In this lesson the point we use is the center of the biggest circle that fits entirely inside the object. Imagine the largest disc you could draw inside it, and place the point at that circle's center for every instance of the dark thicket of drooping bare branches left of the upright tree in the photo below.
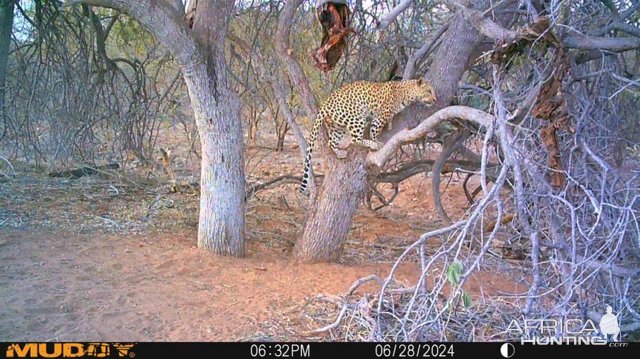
(86, 85)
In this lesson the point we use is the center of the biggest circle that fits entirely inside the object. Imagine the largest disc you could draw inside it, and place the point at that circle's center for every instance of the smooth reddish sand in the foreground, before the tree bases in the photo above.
(65, 287)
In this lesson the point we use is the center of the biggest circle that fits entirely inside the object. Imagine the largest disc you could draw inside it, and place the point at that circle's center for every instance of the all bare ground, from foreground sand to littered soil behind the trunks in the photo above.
(113, 258)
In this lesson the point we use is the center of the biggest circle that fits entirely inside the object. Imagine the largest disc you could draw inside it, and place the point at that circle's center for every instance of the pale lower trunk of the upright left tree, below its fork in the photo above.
(221, 223)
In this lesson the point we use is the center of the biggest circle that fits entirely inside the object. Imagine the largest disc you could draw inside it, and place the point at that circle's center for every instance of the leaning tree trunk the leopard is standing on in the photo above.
(345, 181)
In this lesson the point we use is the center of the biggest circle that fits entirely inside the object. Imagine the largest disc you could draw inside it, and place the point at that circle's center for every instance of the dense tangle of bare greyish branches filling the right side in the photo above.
(581, 239)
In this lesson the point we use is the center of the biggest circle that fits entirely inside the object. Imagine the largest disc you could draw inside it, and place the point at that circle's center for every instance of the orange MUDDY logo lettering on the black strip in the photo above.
(70, 350)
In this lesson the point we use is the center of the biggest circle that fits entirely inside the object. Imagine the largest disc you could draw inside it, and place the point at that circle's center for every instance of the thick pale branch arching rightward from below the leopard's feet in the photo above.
(379, 158)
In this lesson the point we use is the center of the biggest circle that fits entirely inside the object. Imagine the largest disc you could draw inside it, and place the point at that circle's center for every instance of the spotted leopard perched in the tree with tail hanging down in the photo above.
(361, 104)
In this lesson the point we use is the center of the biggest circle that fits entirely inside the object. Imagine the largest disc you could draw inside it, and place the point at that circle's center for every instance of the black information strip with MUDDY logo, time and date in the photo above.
(142, 350)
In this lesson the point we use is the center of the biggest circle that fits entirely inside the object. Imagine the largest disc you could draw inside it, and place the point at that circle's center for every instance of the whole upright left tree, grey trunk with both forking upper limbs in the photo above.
(200, 54)
